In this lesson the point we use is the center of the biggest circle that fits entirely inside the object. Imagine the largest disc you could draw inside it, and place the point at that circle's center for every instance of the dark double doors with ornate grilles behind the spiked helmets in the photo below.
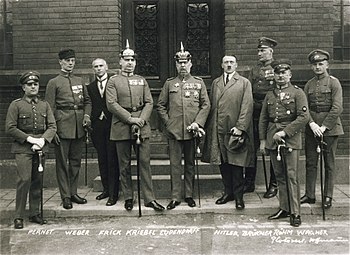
(156, 28)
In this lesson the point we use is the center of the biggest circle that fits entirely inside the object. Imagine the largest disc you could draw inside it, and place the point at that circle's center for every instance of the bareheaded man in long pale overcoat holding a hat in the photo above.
(230, 116)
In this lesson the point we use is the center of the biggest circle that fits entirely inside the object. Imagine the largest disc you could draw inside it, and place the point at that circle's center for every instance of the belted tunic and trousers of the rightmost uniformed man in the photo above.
(324, 94)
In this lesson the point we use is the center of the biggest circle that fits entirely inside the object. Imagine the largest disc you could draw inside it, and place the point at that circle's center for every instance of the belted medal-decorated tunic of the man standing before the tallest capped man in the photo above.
(284, 109)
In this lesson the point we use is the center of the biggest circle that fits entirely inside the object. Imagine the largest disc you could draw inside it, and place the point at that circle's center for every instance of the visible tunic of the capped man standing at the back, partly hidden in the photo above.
(261, 77)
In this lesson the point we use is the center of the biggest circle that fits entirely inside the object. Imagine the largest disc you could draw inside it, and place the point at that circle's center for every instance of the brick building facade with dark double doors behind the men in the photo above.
(33, 31)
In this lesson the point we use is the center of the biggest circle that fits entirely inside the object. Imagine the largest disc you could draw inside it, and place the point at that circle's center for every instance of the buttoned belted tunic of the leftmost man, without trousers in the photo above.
(29, 117)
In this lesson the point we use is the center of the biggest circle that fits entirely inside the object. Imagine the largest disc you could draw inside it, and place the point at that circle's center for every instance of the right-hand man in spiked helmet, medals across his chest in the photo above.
(183, 106)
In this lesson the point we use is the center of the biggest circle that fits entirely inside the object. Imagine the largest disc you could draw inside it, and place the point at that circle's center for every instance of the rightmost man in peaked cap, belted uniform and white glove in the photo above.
(324, 94)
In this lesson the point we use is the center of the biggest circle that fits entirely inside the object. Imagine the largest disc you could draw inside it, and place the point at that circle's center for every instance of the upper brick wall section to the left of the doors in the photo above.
(92, 28)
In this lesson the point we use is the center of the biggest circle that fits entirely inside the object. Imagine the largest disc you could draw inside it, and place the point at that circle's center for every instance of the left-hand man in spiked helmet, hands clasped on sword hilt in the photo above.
(130, 101)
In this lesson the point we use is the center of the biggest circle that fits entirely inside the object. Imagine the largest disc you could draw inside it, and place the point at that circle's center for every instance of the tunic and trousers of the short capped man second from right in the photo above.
(285, 109)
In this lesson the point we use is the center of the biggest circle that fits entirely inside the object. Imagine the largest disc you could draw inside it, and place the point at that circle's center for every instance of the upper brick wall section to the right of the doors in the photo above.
(299, 26)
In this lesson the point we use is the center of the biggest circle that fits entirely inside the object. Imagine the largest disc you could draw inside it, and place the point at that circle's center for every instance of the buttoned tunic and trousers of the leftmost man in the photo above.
(29, 117)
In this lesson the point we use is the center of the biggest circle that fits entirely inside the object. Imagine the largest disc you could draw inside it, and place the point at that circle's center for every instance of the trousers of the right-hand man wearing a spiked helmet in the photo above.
(175, 152)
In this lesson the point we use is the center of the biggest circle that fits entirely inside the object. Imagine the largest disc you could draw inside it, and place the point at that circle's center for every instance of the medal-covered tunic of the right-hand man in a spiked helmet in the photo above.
(182, 102)
